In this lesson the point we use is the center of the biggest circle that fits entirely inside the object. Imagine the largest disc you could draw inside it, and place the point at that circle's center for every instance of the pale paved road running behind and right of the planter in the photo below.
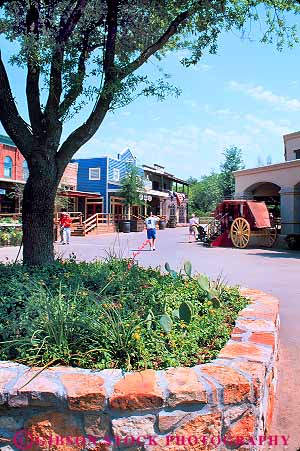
(273, 271)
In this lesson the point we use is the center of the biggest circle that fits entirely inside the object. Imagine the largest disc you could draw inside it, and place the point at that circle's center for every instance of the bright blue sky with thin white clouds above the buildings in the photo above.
(247, 95)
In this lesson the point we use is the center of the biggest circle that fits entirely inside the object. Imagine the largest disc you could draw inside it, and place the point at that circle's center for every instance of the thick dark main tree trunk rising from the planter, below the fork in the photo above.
(38, 212)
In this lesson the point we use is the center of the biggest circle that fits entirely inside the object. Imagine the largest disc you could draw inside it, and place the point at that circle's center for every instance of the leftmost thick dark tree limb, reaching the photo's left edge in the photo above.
(13, 123)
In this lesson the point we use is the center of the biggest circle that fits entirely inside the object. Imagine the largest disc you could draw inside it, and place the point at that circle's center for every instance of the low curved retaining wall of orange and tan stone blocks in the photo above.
(177, 409)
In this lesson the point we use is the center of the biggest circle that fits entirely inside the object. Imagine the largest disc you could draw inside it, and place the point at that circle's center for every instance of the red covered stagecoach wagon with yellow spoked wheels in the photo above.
(236, 221)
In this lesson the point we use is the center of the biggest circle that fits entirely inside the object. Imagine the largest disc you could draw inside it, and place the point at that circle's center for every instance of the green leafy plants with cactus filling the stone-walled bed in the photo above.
(102, 315)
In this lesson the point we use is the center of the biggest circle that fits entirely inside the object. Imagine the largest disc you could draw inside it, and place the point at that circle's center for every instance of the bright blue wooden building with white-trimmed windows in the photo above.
(102, 176)
